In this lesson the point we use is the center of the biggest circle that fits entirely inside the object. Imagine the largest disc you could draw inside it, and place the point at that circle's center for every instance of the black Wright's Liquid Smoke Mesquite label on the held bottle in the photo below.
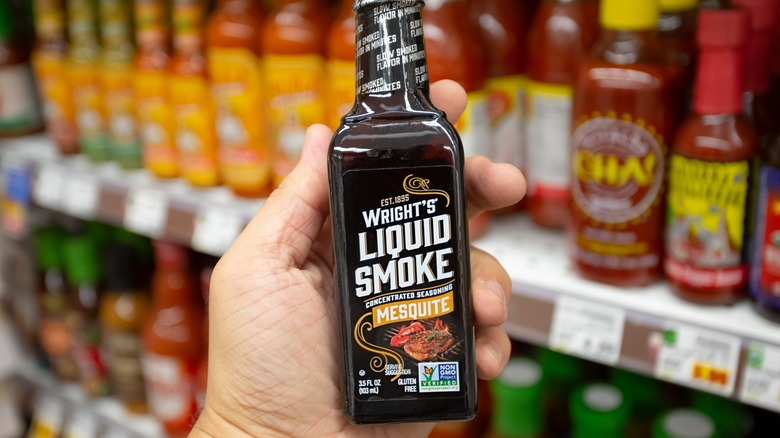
(405, 274)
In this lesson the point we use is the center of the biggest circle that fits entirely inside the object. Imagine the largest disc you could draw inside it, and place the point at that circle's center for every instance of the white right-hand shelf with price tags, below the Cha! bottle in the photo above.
(631, 328)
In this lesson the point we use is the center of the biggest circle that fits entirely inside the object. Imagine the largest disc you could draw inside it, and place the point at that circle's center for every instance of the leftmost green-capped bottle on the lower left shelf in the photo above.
(56, 335)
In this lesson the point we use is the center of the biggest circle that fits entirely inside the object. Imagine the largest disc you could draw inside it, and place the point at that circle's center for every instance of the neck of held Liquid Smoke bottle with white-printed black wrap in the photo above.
(390, 54)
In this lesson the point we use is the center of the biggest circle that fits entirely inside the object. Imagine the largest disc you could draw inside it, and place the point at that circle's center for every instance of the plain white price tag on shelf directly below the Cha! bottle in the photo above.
(589, 330)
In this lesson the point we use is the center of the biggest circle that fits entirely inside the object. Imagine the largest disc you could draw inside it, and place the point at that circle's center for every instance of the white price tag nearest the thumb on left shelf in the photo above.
(215, 230)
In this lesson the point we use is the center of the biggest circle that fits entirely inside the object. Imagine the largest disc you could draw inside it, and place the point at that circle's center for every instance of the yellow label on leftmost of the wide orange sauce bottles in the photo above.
(244, 157)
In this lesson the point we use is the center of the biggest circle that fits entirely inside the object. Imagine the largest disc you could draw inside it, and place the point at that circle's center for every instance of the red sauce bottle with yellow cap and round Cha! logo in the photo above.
(620, 123)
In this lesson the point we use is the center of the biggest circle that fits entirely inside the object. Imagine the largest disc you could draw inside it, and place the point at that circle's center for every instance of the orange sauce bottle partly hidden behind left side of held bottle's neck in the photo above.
(341, 64)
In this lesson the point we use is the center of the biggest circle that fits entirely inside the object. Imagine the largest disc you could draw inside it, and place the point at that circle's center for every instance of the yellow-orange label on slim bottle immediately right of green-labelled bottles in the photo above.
(155, 122)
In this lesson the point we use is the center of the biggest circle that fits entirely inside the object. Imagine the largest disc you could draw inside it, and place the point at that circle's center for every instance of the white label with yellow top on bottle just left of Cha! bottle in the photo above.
(549, 127)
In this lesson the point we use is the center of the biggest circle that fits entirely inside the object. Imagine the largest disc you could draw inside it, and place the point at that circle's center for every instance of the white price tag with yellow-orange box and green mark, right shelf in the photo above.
(698, 358)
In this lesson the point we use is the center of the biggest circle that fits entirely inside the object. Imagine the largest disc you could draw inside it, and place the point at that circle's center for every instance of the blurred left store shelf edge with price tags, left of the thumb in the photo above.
(206, 219)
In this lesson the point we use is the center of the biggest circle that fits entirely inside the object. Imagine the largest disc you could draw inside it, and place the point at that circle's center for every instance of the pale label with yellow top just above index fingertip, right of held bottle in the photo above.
(474, 125)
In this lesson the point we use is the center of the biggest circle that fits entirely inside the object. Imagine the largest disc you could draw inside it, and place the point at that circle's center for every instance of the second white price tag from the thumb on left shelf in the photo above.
(146, 212)
